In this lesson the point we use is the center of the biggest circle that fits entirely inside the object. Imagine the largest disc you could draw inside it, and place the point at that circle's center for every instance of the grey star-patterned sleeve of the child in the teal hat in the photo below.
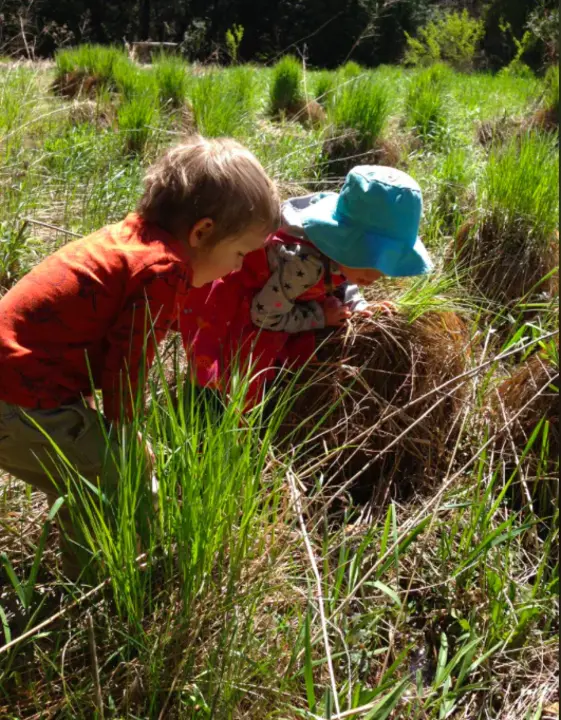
(275, 307)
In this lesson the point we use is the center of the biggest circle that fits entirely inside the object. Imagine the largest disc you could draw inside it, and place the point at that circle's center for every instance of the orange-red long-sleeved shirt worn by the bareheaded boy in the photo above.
(87, 308)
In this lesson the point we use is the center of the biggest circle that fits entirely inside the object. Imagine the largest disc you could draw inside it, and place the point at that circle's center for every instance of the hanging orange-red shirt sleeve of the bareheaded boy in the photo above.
(149, 313)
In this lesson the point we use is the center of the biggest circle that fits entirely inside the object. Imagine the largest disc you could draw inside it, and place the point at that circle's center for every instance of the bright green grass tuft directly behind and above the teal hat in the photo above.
(363, 107)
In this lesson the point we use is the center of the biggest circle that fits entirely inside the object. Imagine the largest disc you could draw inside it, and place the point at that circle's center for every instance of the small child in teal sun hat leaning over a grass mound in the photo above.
(307, 277)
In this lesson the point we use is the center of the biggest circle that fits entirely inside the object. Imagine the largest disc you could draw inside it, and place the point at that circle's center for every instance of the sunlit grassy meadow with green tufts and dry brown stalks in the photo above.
(267, 583)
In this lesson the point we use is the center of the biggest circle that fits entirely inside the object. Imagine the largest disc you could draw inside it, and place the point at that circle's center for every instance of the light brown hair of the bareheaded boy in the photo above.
(217, 179)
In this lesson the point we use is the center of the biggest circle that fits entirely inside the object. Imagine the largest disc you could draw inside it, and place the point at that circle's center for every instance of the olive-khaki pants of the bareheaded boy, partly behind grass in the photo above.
(27, 453)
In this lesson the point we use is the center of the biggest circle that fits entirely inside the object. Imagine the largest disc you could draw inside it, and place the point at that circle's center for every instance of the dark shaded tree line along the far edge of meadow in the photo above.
(328, 32)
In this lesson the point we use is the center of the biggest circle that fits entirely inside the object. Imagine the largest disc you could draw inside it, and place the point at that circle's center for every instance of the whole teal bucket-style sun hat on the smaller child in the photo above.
(372, 223)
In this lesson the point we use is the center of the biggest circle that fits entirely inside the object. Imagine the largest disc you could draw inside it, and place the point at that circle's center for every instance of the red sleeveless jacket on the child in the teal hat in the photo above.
(219, 334)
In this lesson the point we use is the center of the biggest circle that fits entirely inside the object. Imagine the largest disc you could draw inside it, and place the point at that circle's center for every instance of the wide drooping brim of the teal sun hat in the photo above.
(352, 247)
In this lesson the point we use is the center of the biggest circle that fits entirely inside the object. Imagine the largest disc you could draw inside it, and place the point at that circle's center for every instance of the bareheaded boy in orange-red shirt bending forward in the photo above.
(89, 316)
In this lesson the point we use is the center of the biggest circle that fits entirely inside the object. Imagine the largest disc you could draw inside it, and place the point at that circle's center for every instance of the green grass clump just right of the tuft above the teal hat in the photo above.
(425, 104)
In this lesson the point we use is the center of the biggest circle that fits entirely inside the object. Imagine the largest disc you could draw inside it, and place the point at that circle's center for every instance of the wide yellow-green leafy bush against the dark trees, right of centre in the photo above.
(453, 37)
